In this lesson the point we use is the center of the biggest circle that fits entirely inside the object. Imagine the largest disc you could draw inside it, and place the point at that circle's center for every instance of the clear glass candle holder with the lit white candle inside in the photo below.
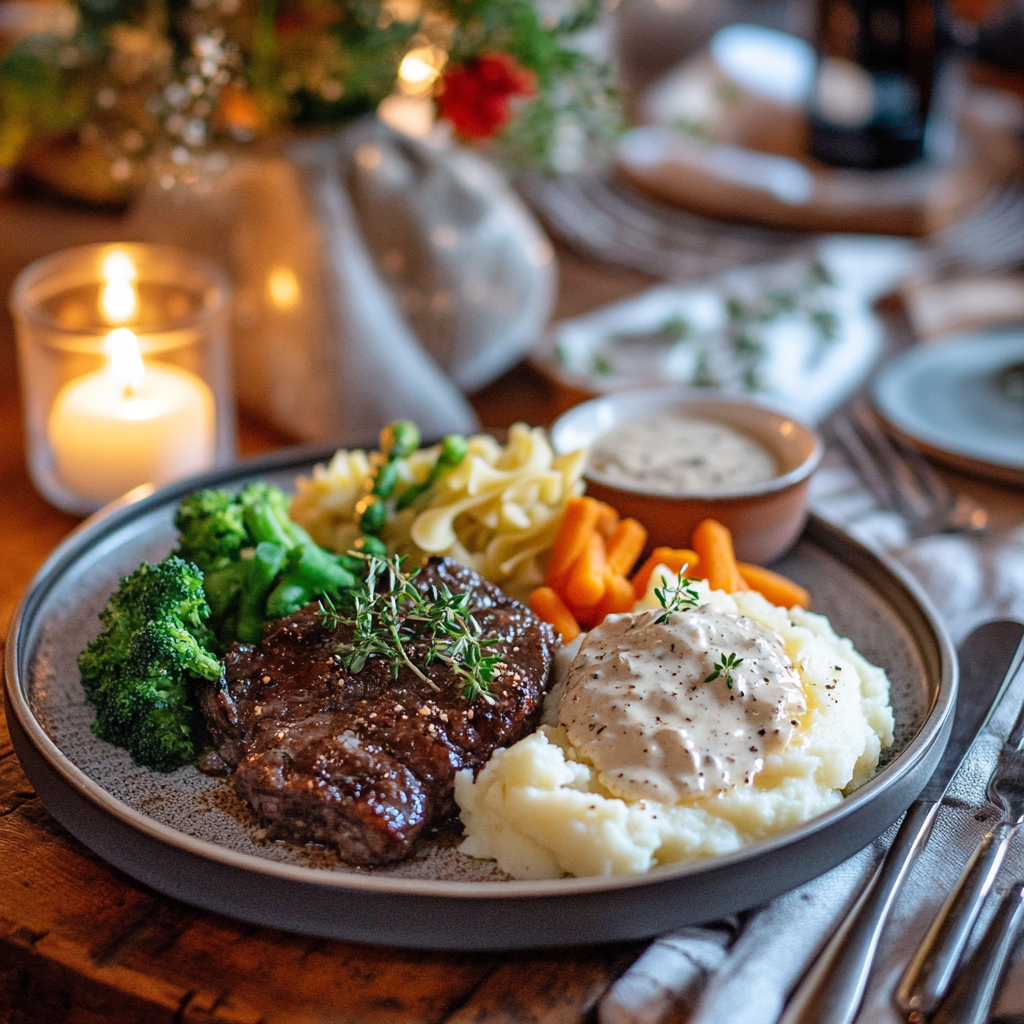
(125, 370)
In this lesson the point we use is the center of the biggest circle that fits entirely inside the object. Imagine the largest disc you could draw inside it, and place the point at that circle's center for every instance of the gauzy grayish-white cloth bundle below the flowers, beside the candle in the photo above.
(375, 276)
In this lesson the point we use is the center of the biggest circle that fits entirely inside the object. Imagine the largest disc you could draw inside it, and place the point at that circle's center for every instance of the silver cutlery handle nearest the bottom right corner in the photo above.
(975, 992)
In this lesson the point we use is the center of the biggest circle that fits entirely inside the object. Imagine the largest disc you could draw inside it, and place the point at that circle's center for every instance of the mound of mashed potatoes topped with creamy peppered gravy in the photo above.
(810, 717)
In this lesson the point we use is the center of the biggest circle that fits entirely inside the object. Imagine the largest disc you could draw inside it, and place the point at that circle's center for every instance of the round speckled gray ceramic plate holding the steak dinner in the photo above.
(188, 836)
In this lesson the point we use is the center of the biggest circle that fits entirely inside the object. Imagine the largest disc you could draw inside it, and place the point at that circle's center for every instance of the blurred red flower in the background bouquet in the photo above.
(477, 96)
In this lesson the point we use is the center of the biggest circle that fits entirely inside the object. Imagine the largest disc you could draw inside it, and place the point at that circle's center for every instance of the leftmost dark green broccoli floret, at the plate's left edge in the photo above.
(139, 672)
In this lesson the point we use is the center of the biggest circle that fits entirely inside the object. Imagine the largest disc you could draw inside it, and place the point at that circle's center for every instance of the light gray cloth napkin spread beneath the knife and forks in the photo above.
(707, 976)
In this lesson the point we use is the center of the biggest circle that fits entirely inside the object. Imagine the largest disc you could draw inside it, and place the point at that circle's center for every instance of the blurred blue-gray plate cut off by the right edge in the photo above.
(948, 400)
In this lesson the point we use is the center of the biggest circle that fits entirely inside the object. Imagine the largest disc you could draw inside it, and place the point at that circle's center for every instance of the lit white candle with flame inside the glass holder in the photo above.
(131, 423)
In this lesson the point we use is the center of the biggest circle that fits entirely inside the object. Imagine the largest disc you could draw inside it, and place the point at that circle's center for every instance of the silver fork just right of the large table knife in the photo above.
(931, 969)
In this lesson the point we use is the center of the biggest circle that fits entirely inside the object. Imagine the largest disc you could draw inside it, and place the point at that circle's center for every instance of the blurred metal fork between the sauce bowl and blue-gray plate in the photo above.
(902, 480)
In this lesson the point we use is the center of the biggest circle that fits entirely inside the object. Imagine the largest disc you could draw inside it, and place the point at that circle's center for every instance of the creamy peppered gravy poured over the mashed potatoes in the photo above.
(638, 707)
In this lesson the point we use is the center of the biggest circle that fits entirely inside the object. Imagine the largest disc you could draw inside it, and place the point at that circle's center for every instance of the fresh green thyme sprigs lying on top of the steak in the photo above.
(390, 616)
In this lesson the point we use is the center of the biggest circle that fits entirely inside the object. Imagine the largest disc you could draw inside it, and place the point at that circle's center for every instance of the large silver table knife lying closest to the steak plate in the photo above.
(833, 989)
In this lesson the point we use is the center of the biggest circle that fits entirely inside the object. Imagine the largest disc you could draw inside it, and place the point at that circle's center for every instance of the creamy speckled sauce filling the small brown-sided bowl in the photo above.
(680, 455)
